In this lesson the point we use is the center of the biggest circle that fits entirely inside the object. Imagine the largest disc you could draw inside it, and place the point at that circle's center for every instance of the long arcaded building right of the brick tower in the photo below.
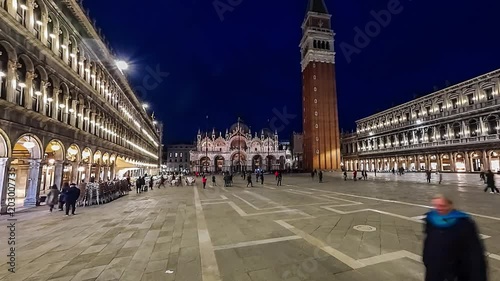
(452, 130)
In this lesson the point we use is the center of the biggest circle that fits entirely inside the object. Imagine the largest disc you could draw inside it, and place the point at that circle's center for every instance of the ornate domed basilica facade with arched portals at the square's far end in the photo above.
(237, 150)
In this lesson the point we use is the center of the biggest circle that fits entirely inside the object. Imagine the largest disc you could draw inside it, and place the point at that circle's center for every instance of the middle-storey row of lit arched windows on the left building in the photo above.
(31, 87)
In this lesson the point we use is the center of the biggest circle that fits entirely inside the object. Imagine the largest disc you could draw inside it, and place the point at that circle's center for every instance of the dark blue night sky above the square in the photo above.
(248, 63)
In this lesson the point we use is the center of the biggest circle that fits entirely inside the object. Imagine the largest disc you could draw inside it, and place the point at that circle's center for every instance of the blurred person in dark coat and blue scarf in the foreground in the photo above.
(453, 249)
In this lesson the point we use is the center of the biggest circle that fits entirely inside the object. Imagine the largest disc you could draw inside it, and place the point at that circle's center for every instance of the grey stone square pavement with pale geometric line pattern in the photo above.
(303, 230)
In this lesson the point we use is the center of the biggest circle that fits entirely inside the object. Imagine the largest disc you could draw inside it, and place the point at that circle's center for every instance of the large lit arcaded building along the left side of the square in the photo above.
(67, 113)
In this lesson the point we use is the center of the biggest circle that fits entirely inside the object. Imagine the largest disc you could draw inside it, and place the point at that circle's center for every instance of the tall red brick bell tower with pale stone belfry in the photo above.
(319, 93)
